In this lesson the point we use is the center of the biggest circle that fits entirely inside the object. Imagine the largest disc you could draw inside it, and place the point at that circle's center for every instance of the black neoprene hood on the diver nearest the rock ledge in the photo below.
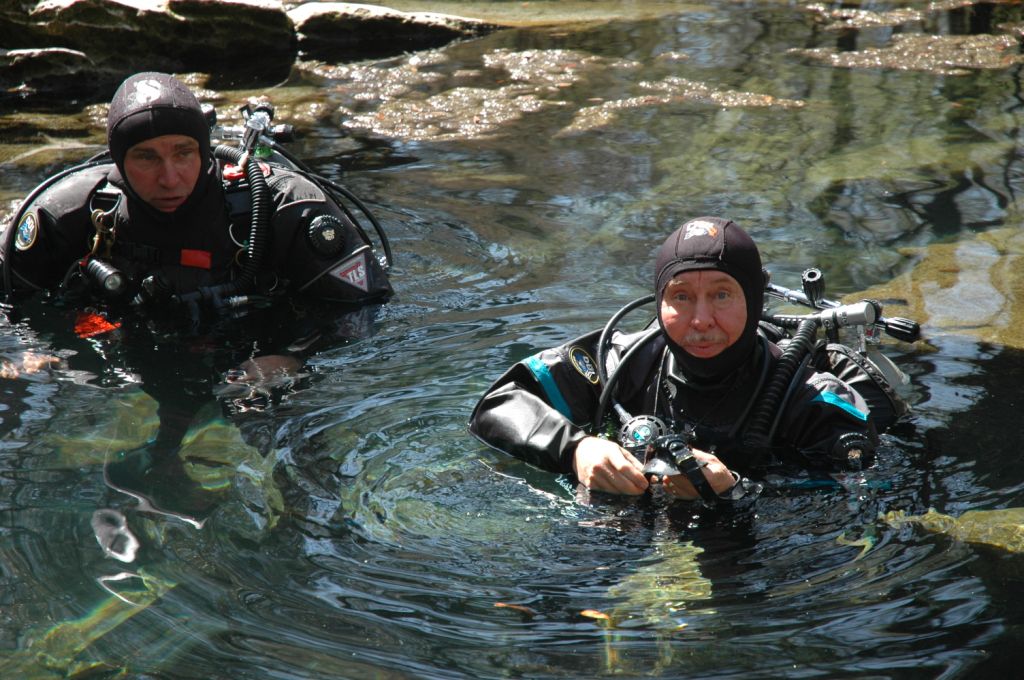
(151, 105)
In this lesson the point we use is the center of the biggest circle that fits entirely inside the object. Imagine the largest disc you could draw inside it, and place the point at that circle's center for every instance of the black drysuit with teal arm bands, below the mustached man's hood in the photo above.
(542, 408)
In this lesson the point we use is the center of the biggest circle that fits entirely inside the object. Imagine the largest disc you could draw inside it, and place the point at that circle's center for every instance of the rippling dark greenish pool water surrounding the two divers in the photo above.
(346, 525)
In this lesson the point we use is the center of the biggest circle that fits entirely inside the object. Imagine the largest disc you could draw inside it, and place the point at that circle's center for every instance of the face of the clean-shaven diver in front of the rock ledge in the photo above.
(163, 172)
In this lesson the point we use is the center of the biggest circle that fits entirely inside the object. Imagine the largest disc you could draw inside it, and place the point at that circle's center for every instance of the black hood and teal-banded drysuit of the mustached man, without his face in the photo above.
(544, 407)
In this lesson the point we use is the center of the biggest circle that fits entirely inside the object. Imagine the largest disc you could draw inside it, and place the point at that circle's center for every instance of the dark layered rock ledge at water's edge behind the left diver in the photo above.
(88, 48)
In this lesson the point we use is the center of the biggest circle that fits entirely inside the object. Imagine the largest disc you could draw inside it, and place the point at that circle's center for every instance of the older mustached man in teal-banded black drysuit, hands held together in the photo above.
(702, 375)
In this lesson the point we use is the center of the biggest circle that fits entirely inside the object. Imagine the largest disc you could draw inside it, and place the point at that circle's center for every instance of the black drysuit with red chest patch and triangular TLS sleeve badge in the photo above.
(201, 245)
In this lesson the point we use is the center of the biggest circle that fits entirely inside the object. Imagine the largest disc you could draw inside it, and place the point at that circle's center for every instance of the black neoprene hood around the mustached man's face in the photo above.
(717, 244)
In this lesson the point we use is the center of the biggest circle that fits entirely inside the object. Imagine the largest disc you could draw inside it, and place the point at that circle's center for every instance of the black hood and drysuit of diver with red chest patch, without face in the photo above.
(310, 246)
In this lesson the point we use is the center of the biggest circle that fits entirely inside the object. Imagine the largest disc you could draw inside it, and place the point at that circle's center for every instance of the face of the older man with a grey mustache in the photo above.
(704, 312)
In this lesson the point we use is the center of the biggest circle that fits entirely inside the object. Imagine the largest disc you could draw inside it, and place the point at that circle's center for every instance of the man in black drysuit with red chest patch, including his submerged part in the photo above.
(259, 265)
